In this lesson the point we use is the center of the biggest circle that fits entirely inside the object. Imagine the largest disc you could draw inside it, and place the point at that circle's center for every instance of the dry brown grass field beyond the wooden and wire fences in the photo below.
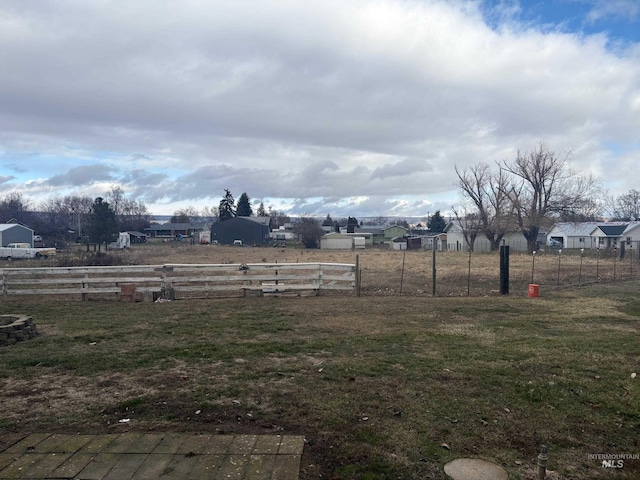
(388, 272)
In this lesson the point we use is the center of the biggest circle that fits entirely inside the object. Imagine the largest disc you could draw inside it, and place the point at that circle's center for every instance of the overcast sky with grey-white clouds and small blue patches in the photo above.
(313, 106)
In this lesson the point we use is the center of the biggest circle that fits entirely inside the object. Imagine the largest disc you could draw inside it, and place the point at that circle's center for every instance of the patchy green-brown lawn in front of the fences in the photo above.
(382, 387)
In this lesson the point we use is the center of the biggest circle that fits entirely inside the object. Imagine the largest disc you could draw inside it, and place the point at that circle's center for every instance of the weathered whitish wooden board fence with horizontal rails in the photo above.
(179, 280)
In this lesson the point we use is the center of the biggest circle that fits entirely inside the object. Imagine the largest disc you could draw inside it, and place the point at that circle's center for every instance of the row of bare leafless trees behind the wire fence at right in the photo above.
(530, 193)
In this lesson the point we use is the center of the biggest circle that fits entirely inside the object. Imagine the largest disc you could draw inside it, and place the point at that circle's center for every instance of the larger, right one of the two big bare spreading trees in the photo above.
(542, 187)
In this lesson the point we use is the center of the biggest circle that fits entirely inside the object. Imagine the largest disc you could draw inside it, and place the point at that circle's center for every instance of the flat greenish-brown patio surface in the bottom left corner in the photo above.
(153, 456)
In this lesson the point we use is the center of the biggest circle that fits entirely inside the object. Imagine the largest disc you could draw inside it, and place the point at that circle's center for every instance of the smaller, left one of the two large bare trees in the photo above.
(489, 192)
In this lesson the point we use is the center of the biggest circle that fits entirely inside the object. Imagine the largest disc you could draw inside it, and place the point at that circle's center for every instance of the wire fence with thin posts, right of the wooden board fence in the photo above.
(478, 274)
